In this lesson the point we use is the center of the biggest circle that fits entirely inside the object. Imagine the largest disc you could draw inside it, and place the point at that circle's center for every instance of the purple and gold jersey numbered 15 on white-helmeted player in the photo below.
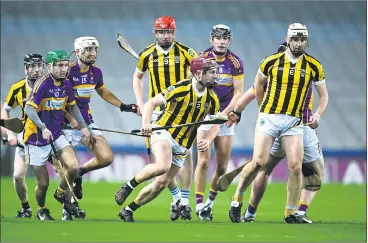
(84, 83)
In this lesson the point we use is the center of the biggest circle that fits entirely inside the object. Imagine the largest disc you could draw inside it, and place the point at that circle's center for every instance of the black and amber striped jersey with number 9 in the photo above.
(165, 68)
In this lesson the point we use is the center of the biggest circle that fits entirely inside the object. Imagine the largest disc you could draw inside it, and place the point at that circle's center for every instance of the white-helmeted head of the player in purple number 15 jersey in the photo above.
(86, 49)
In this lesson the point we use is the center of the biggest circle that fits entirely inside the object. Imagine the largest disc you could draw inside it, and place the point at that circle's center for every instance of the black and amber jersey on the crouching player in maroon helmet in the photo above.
(185, 104)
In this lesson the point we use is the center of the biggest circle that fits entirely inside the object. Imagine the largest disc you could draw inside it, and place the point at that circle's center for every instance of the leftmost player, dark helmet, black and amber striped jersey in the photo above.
(17, 96)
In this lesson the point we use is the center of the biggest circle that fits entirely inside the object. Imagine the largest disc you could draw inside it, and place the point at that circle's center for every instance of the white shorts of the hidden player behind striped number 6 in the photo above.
(312, 146)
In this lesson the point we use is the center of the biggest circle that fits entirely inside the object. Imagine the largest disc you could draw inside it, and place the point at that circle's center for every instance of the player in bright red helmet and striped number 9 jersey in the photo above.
(167, 62)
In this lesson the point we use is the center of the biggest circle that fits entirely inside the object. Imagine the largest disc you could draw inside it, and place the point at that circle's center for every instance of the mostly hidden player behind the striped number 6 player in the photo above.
(312, 168)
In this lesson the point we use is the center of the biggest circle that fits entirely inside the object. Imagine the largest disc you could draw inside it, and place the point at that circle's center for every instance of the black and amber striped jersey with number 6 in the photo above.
(289, 82)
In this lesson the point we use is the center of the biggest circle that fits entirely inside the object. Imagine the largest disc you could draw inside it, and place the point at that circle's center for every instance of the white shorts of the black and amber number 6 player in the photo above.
(278, 125)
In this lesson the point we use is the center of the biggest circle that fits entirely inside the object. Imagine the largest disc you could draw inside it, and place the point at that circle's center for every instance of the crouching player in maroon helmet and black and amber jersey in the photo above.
(185, 102)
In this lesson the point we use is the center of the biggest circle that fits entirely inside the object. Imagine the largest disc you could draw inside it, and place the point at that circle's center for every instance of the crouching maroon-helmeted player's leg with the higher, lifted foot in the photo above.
(161, 145)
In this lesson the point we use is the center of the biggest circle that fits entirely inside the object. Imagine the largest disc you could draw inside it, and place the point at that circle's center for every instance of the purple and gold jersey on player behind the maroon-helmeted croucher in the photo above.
(230, 70)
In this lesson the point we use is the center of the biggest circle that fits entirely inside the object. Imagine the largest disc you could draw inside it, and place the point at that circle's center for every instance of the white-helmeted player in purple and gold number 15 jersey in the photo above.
(85, 78)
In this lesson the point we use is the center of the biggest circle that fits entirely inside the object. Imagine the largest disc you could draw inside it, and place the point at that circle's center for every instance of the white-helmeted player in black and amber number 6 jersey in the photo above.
(290, 75)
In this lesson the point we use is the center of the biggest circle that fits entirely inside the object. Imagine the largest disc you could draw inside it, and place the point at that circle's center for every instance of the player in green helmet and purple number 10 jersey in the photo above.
(45, 109)
